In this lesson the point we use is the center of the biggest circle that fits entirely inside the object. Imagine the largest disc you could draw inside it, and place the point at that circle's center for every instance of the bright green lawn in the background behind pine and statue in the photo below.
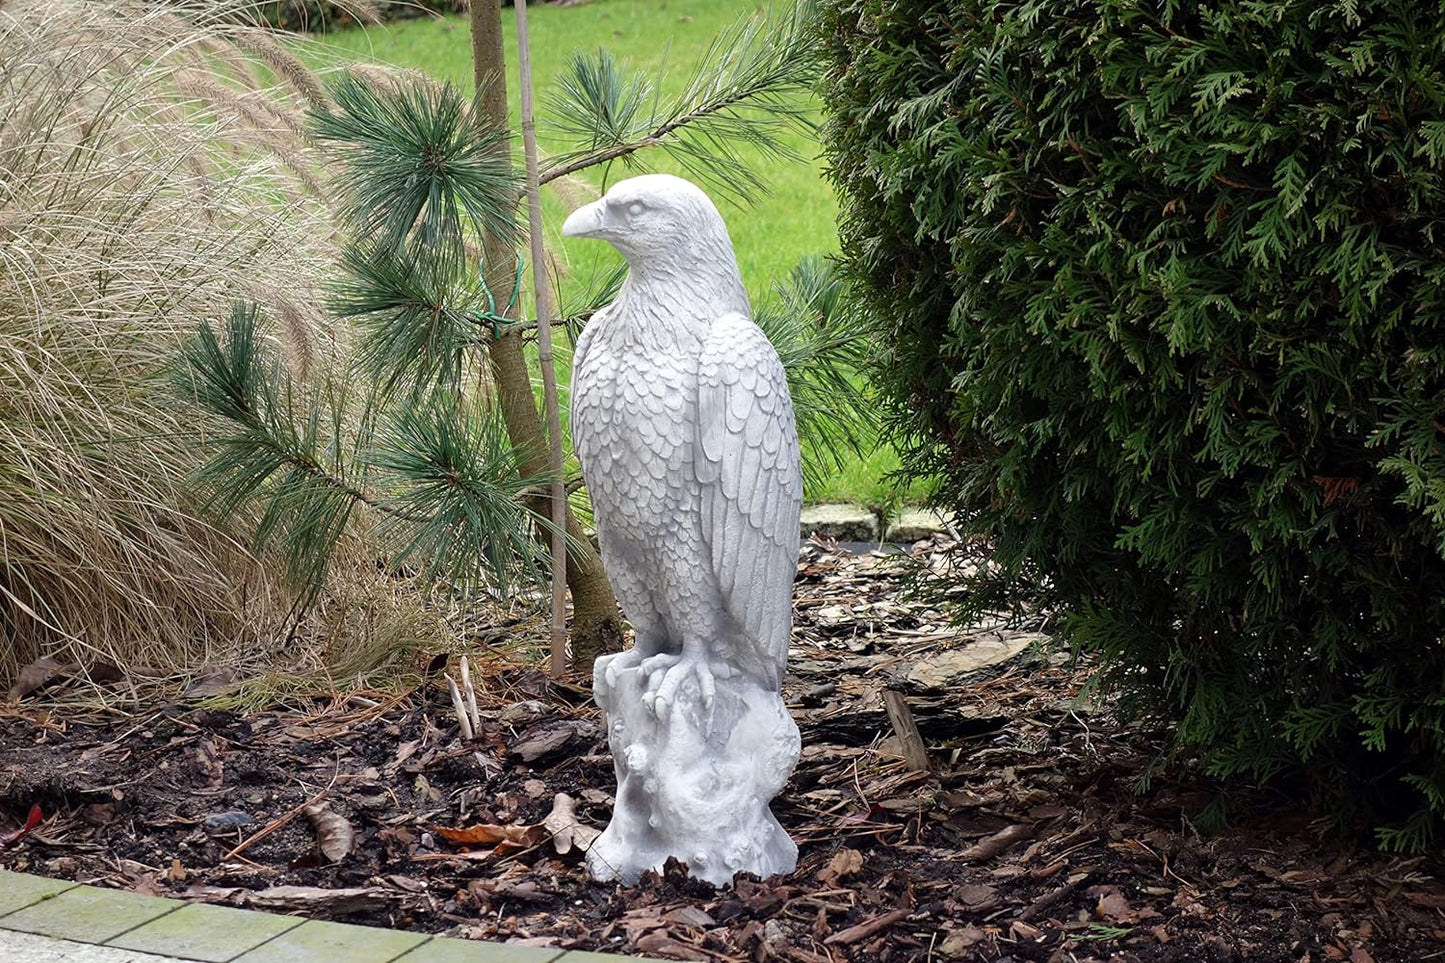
(795, 221)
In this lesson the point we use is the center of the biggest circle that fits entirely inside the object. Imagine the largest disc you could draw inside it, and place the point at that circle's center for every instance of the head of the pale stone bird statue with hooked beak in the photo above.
(655, 219)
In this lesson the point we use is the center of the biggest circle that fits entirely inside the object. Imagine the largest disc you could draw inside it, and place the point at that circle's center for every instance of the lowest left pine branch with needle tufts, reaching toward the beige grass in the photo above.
(439, 472)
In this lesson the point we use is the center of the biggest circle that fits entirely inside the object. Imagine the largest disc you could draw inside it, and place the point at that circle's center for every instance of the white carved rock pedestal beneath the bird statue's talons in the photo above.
(694, 787)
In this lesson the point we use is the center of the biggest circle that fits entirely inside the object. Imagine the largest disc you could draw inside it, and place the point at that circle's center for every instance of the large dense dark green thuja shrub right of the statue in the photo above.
(1164, 293)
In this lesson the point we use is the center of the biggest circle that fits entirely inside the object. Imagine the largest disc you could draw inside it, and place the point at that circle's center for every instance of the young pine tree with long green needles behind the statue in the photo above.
(453, 472)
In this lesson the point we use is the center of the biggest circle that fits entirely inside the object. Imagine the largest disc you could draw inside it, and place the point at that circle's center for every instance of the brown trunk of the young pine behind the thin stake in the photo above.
(596, 624)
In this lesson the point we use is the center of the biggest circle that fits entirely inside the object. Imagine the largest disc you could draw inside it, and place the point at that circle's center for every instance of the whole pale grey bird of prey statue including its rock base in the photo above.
(684, 427)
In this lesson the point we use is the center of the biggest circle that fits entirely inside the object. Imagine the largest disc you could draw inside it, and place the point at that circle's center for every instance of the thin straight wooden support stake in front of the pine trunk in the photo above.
(544, 301)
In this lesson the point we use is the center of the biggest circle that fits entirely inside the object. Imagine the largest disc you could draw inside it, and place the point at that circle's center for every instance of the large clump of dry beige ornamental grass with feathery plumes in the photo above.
(152, 168)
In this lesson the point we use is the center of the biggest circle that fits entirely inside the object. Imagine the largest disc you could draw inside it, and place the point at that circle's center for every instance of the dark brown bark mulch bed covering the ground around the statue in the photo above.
(1028, 841)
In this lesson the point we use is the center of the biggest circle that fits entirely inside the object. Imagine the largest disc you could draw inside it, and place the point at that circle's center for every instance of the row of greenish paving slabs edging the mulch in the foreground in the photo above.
(204, 933)
